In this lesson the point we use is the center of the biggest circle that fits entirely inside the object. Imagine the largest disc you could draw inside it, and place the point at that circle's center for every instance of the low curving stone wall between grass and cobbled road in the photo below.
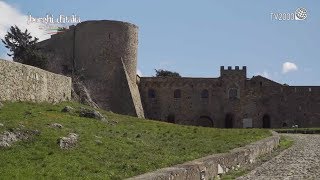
(211, 166)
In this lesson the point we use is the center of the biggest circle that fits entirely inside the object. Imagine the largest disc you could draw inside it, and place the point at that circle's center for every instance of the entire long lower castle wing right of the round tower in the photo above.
(260, 102)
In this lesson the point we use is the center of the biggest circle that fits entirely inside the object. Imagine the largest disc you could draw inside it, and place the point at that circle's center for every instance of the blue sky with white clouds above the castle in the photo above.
(195, 38)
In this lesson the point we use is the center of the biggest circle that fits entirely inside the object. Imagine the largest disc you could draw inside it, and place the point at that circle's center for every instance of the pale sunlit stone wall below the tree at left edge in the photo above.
(19, 82)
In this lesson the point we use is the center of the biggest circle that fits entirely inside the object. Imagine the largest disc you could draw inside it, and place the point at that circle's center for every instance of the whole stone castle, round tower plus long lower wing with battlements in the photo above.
(104, 54)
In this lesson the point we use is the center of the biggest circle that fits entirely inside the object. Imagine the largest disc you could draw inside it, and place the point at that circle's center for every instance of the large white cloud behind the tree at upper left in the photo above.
(10, 16)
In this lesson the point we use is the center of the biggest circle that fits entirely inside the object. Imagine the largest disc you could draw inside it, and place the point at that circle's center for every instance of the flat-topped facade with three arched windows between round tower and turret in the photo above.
(191, 108)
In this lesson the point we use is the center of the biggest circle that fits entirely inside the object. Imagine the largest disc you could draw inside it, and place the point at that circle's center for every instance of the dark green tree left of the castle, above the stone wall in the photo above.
(23, 47)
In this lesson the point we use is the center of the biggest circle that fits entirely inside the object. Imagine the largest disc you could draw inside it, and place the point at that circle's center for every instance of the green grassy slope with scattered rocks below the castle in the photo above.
(122, 147)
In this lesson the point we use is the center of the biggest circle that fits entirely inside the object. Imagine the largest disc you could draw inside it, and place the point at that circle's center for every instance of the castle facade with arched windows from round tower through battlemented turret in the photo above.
(192, 108)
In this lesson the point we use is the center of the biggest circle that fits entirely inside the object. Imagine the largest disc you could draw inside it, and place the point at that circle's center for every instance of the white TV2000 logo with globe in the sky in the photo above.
(299, 14)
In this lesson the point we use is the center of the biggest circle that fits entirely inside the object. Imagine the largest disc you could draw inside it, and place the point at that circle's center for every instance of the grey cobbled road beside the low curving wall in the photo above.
(301, 161)
